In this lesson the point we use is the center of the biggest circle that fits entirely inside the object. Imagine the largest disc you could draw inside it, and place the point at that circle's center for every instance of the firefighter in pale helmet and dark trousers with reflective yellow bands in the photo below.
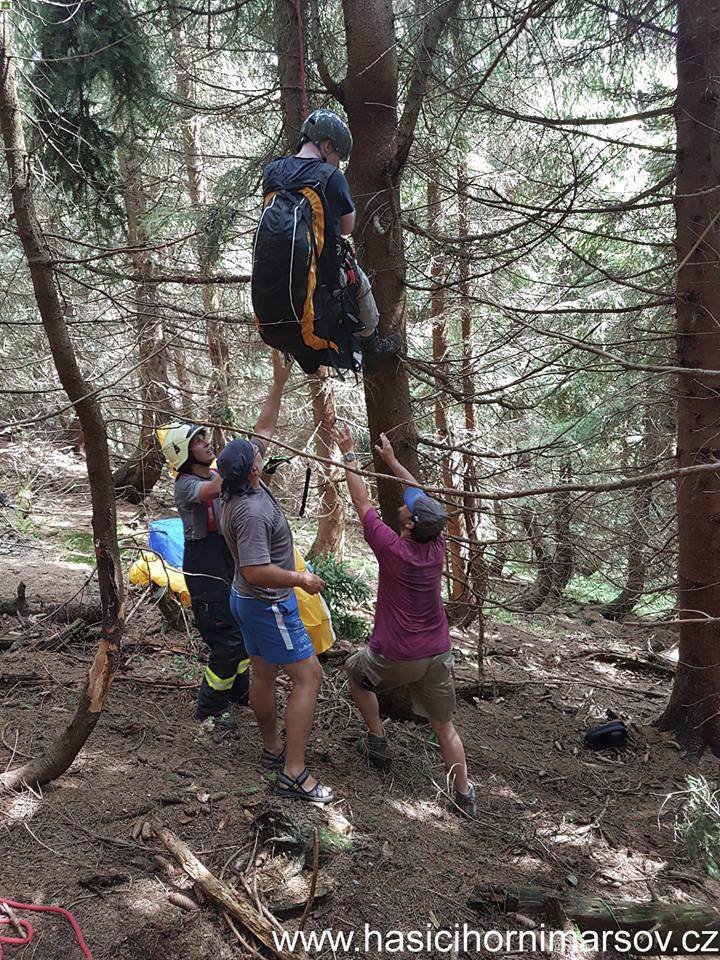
(208, 569)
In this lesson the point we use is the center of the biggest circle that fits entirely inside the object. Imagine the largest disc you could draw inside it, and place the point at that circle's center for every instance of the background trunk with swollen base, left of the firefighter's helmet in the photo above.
(136, 478)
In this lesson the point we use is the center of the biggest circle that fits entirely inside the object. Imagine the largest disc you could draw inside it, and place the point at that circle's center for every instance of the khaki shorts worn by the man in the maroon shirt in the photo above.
(429, 680)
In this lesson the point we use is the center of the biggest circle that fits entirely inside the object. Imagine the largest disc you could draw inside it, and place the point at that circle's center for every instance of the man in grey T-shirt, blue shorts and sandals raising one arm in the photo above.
(263, 602)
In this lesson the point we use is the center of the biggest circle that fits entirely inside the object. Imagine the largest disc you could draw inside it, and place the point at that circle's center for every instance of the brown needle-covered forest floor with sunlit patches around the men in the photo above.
(552, 815)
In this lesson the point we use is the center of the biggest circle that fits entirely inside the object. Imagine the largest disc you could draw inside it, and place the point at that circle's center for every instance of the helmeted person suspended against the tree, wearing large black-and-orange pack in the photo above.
(309, 294)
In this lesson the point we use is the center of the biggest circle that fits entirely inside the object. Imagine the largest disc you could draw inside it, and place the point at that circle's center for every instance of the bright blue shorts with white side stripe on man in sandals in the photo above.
(273, 631)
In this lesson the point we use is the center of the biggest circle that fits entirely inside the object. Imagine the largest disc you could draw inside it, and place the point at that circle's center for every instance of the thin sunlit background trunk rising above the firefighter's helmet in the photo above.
(218, 351)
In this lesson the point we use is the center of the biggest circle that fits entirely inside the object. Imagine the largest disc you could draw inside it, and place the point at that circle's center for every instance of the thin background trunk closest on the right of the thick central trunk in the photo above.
(458, 586)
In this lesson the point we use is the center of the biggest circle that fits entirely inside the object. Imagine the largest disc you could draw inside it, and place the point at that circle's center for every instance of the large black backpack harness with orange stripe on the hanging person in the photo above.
(305, 295)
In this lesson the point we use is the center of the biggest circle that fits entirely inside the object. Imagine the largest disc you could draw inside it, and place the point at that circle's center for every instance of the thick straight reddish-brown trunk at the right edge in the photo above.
(694, 707)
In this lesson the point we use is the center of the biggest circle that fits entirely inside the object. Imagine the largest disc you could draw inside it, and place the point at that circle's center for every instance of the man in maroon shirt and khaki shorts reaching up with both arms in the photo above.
(410, 643)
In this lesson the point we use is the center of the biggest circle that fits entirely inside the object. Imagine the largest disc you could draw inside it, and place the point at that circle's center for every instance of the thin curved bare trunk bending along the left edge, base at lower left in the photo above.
(60, 753)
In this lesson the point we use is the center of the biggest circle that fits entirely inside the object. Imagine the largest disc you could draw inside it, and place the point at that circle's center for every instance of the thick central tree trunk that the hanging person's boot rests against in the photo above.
(371, 96)
